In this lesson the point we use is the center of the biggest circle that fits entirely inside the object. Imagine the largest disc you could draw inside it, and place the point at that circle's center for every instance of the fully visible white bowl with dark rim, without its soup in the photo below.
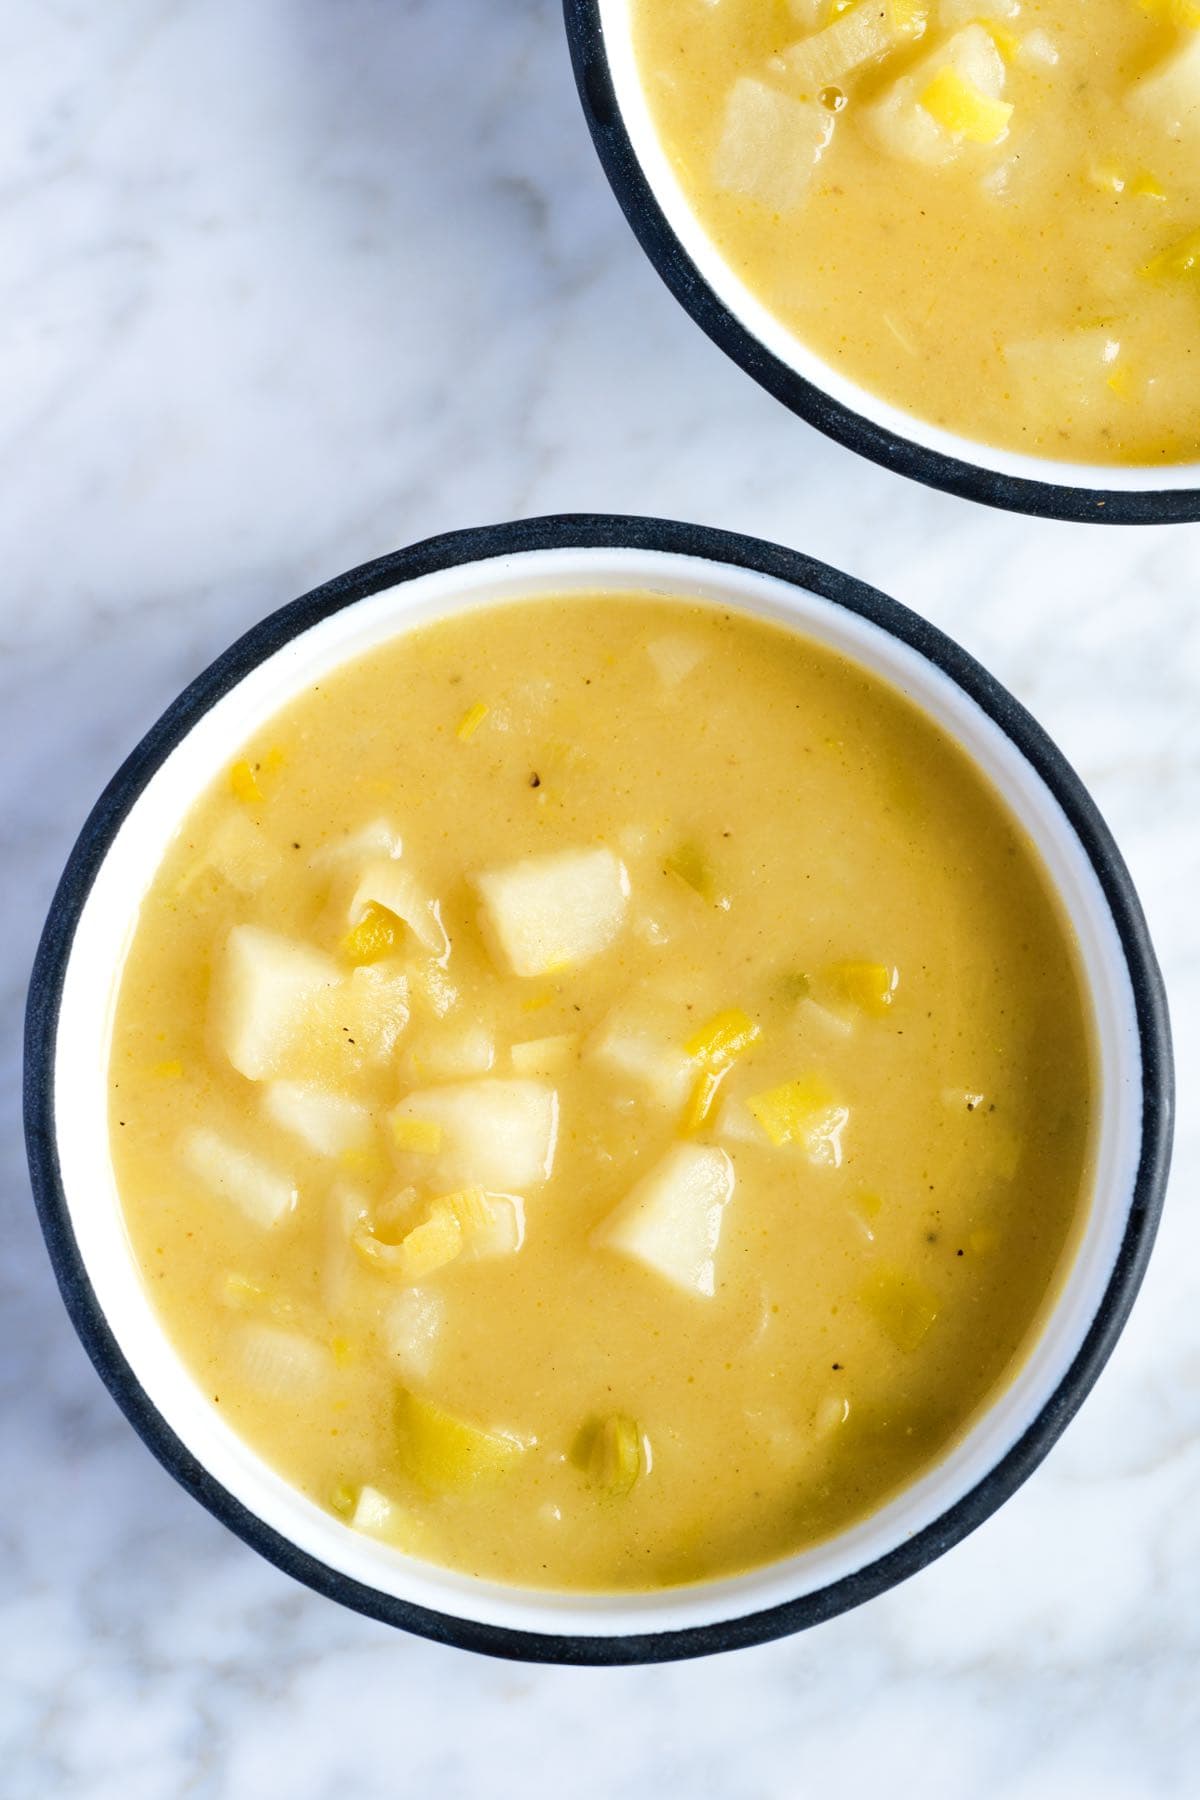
(67, 1084)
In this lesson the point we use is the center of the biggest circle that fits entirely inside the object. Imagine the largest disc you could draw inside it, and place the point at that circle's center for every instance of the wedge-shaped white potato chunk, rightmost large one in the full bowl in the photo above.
(672, 1219)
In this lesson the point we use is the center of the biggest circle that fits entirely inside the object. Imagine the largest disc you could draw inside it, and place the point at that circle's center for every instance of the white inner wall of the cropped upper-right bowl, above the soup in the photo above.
(762, 325)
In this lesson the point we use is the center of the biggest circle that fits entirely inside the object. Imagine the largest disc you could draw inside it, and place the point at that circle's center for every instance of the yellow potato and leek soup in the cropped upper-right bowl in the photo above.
(985, 211)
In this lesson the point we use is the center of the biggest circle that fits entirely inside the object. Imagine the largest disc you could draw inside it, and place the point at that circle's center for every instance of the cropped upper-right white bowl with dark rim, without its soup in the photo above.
(667, 226)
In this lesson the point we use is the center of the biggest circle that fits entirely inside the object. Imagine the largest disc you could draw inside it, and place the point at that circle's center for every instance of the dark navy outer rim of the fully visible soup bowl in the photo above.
(481, 546)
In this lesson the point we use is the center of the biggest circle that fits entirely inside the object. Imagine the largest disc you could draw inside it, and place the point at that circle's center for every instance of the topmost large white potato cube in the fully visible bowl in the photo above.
(555, 912)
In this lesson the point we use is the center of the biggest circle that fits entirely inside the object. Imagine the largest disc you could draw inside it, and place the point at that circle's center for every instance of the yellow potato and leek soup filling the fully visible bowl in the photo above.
(602, 1092)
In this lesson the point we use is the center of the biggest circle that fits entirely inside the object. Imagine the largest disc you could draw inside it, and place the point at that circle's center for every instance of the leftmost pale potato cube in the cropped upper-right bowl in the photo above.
(769, 148)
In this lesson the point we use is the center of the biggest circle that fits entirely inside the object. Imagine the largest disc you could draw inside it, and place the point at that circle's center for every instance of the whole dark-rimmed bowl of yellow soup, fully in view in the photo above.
(605, 1095)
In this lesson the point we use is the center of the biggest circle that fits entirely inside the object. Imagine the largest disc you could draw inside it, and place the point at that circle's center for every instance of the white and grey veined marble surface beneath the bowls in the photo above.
(285, 285)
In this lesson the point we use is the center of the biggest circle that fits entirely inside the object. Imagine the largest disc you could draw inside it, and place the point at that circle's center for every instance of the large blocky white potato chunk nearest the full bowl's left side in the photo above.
(265, 998)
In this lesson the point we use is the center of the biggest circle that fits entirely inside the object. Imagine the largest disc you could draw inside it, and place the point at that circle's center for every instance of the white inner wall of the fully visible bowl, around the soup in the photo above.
(82, 1047)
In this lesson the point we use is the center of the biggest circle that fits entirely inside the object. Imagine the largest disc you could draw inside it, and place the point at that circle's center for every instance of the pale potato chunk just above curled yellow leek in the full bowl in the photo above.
(496, 1135)
